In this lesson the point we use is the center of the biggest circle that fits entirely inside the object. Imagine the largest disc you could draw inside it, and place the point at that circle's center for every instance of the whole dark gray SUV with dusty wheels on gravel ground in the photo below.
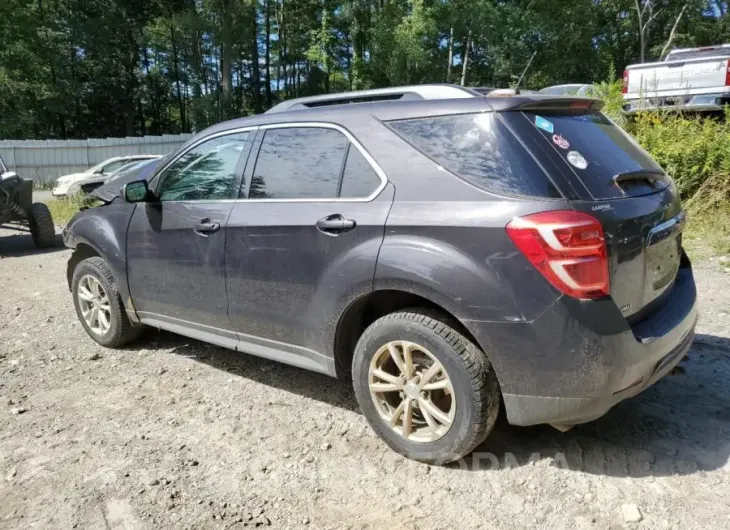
(445, 250)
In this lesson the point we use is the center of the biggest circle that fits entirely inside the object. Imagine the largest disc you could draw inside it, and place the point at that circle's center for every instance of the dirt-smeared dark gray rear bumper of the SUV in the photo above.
(579, 359)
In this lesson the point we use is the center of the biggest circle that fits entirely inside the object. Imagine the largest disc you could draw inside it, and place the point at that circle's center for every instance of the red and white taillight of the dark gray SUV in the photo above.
(568, 248)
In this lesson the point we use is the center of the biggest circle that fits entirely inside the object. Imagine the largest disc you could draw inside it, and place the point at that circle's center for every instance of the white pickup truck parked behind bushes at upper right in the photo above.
(689, 78)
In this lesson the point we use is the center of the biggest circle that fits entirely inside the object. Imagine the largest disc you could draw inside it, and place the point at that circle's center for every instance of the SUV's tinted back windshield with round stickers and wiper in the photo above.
(595, 149)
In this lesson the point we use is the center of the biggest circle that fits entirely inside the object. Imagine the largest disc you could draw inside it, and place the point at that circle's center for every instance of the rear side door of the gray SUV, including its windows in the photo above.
(305, 240)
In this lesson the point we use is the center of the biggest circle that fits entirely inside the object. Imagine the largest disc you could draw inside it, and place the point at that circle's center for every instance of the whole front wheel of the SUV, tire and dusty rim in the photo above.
(99, 305)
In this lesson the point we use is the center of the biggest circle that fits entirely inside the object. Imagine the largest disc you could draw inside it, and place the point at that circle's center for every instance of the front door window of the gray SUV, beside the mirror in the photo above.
(206, 172)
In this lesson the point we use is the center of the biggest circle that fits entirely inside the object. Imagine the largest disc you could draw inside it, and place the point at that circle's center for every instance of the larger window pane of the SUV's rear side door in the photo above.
(298, 163)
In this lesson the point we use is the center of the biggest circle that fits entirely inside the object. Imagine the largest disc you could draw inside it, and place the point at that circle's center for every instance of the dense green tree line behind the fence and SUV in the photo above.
(91, 68)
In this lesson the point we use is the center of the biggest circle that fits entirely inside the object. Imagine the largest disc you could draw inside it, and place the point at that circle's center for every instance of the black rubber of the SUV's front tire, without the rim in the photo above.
(121, 330)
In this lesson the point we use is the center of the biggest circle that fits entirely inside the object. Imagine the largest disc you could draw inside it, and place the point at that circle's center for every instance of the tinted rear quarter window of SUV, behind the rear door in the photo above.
(480, 149)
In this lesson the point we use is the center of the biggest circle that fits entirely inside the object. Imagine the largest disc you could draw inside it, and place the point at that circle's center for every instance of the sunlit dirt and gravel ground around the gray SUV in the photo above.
(174, 433)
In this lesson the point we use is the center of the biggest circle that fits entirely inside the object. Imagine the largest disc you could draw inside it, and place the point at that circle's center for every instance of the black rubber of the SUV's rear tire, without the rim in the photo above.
(475, 385)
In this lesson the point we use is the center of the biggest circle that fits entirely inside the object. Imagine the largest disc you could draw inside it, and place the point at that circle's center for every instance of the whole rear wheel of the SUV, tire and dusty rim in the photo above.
(423, 387)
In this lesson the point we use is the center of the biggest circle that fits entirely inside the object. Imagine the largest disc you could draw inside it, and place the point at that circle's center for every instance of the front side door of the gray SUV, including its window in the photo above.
(175, 249)
